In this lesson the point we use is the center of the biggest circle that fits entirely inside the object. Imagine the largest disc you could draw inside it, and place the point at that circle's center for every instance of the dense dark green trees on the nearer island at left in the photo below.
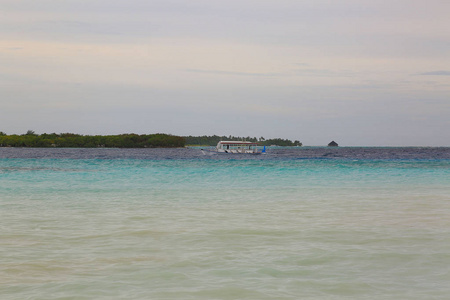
(72, 140)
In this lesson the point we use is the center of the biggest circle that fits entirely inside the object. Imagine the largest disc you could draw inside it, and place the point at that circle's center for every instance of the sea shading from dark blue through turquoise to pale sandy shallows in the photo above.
(295, 223)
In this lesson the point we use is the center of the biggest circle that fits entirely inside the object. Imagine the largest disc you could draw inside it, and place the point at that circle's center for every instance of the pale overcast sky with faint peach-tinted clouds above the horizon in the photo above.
(360, 72)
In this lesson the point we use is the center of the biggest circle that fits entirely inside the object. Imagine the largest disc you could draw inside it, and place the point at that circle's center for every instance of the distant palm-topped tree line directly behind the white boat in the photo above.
(214, 139)
